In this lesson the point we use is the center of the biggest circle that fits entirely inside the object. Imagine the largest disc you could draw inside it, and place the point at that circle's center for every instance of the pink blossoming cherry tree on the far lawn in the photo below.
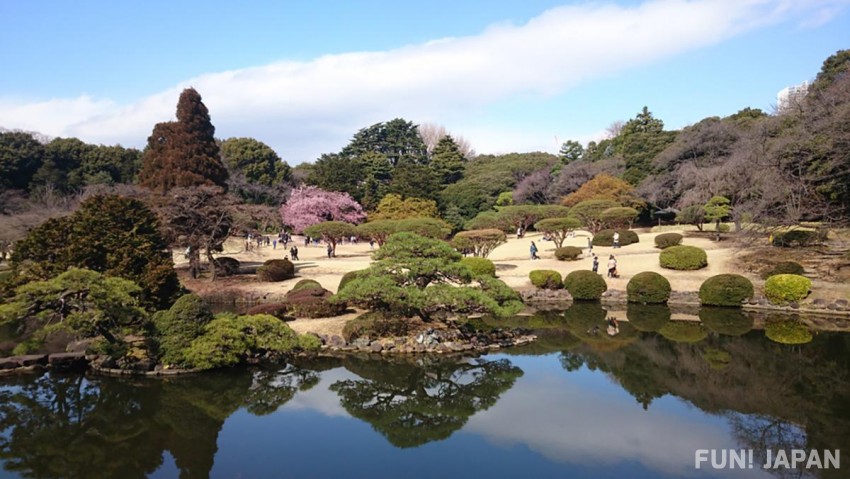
(310, 205)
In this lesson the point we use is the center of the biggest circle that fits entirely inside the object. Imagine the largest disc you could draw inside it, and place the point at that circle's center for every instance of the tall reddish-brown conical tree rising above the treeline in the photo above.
(183, 153)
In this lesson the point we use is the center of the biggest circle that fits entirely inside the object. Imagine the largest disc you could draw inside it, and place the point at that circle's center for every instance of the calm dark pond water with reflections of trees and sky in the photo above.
(577, 403)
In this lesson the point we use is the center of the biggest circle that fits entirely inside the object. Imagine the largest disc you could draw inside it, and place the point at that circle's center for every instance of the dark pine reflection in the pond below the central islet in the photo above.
(415, 401)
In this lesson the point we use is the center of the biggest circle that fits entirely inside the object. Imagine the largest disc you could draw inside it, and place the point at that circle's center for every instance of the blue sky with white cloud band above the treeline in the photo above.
(305, 76)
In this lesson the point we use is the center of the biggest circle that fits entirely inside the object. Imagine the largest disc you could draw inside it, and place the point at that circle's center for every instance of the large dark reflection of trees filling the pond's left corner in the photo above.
(71, 426)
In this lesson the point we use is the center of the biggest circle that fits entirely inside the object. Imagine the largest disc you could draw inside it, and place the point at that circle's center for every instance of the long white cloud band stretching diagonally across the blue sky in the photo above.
(305, 108)
